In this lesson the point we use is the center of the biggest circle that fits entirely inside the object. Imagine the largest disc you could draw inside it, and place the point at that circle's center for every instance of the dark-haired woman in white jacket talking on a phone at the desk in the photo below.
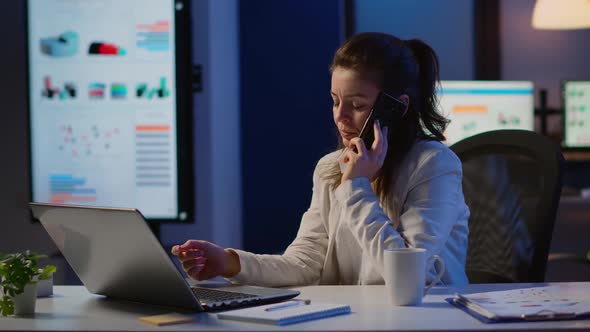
(402, 191)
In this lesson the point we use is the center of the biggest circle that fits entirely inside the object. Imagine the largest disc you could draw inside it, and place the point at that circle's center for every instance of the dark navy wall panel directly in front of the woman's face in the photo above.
(286, 48)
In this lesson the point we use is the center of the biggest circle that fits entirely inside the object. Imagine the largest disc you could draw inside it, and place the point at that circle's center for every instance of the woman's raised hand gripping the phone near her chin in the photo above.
(363, 162)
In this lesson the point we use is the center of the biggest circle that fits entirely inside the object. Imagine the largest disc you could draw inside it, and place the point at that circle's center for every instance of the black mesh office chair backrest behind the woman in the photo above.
(512, 185)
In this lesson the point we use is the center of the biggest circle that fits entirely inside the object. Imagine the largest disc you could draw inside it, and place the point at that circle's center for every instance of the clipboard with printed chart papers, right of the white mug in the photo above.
(538, 303)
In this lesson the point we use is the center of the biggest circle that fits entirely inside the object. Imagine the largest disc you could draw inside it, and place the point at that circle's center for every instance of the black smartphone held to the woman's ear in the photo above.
(388, 110)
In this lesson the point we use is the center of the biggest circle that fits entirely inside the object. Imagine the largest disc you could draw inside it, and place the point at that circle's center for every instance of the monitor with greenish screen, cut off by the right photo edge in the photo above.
(576, 115)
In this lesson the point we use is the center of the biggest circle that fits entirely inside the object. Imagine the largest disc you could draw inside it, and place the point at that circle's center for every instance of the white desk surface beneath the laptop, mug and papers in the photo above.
(72, 308)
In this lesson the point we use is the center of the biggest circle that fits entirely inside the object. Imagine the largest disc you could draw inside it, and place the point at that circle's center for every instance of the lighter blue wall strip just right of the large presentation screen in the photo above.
(216, 131)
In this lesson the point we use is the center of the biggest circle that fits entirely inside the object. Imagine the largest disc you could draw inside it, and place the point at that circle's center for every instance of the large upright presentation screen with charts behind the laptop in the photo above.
(110, 105)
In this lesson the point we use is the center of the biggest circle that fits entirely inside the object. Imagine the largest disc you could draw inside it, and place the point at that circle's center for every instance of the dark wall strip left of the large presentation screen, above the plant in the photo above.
(16, 230)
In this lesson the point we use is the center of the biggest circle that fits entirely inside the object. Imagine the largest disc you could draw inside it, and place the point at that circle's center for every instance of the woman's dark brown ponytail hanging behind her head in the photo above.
(428, 77)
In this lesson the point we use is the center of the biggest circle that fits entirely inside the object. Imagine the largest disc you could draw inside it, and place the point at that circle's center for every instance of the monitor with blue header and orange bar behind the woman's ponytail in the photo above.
(474, 107)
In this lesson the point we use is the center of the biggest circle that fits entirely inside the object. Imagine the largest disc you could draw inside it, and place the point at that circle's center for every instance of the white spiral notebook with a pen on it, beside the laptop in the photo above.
(285, 313)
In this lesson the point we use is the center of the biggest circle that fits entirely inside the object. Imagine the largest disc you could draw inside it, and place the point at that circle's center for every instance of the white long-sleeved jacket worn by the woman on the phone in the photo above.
(344, 232)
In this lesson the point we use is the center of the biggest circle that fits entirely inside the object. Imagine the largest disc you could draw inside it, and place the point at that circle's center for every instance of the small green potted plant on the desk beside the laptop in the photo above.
(19, 274)
